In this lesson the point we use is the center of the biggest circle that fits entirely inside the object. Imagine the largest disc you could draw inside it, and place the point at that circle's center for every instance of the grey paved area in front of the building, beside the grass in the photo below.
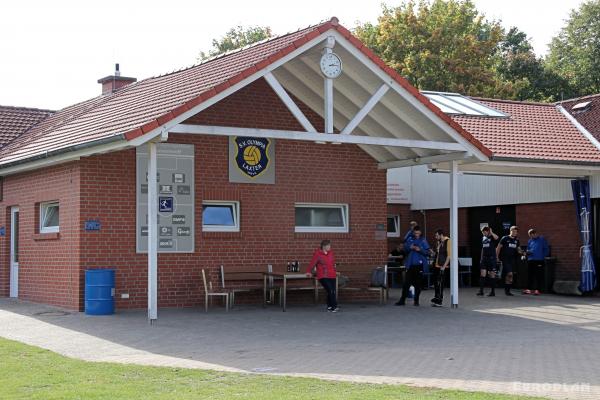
(545, 346)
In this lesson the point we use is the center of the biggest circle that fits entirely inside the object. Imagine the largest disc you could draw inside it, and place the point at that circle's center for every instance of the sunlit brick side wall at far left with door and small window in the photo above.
(48, 263)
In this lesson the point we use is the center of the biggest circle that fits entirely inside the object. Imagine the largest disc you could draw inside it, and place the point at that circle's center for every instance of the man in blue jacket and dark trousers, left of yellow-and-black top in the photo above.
(418, 250)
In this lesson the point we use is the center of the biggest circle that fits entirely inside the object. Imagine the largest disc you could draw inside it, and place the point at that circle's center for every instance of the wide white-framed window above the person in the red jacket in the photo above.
(316, 217)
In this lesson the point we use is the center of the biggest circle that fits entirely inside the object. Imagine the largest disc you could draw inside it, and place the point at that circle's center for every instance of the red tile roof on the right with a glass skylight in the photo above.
(533, 131)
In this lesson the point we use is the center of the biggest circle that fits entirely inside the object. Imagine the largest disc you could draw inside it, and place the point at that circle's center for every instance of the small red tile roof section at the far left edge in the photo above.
(14, 121)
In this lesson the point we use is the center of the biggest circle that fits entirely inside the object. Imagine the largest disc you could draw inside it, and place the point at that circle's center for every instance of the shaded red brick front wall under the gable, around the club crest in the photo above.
(306, 172)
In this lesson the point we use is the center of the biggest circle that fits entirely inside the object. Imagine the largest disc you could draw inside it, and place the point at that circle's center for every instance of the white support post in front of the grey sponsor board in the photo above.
(152, 233)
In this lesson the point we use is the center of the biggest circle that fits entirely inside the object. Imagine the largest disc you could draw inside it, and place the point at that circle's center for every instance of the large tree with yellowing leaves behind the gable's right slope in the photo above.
(441, 45)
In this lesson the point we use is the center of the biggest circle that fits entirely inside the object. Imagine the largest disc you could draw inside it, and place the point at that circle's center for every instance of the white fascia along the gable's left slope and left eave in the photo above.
(165, 128)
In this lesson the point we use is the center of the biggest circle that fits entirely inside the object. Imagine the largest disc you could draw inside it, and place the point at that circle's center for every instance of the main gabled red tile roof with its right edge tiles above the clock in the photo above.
(140, 107)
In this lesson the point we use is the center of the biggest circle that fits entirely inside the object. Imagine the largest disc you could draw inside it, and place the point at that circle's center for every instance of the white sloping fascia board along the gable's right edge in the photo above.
(443, 125)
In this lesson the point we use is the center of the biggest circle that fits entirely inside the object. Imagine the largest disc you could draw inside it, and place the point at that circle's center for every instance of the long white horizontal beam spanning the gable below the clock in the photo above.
(307, 136)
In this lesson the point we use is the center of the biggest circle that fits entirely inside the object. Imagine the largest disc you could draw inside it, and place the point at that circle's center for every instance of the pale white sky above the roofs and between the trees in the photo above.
(53, 52)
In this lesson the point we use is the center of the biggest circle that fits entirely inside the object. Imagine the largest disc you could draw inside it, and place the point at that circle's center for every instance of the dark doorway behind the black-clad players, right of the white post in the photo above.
(499, 218)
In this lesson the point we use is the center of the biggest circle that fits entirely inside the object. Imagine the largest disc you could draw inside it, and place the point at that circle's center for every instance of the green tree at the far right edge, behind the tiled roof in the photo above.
(575, 52)
